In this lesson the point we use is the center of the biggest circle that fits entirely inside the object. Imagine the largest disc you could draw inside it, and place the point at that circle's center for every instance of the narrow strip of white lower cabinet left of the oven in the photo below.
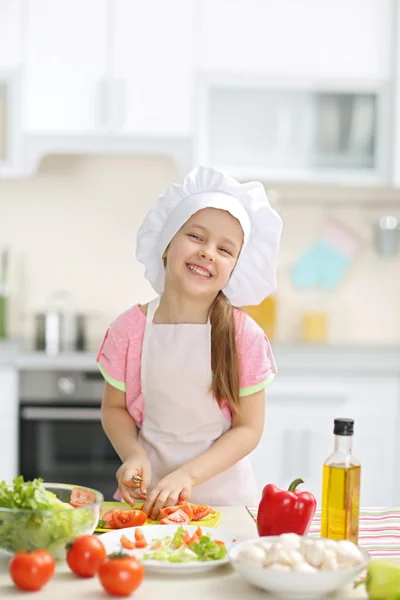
(8, 423)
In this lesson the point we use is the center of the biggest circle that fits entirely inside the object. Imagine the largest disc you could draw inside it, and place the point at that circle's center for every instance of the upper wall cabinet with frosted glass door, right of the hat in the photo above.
(292, 130)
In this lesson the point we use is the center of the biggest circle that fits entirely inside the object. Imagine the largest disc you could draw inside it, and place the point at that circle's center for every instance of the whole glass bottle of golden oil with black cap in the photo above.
(341, 486)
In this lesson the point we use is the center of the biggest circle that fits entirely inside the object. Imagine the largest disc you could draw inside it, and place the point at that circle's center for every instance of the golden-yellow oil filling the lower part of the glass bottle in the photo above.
(341, 502)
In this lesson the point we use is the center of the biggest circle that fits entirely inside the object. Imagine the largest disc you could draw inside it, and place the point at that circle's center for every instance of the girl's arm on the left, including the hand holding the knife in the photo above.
(120, 429)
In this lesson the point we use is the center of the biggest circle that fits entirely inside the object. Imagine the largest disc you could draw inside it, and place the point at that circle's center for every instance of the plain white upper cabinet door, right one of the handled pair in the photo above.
(153, 67)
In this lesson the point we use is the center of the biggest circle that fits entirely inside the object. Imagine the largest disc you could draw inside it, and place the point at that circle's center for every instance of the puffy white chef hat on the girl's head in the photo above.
(254, 276)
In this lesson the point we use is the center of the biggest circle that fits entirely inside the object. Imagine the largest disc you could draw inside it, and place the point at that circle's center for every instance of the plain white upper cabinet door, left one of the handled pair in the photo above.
(66, 50)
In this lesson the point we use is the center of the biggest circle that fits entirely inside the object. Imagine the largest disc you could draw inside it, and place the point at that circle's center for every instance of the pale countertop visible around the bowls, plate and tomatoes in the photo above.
(221, 584)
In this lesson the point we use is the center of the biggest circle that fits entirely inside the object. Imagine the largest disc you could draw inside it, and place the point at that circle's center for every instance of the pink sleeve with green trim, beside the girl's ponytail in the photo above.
(256, 362)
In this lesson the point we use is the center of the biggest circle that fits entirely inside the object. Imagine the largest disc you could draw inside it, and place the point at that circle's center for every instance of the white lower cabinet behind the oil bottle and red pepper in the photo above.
(298, 434)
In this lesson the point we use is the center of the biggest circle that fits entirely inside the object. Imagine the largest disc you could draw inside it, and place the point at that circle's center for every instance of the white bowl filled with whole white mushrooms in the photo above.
(295, 567)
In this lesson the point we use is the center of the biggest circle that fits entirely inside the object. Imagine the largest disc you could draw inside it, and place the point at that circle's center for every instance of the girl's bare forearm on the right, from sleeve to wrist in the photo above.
(235, 444)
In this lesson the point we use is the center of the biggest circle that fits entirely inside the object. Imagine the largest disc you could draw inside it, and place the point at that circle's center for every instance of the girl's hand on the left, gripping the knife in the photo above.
(137, 464)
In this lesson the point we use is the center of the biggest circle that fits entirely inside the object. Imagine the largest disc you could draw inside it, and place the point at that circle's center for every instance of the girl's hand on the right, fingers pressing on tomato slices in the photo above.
(172, 488)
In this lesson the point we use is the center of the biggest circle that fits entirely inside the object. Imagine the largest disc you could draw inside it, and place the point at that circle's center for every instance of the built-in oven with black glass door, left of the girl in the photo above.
(60, 431)
